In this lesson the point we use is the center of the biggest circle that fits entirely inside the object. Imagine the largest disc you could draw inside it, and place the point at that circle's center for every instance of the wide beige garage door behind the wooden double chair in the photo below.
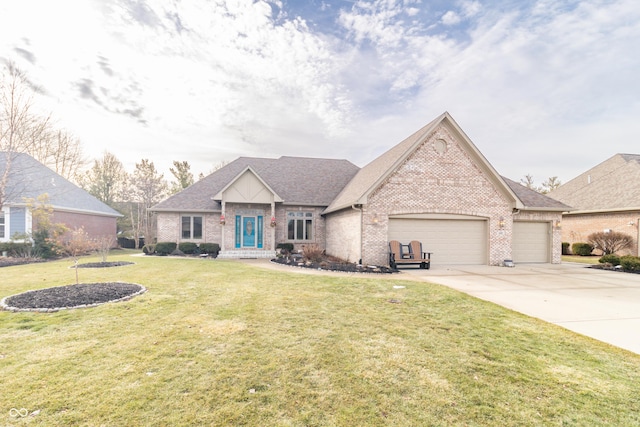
(451, 241)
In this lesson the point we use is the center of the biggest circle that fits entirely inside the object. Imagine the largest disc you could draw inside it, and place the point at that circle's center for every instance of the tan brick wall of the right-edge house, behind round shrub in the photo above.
(577, 227)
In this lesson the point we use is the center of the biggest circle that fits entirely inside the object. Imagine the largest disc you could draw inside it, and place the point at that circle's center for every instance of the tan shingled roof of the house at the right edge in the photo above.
(613, 185)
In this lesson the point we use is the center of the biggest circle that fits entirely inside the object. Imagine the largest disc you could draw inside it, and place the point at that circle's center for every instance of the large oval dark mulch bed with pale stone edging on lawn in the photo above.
(71, 296)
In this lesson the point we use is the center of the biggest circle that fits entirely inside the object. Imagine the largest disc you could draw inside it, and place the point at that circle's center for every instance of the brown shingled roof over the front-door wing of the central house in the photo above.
(297, 180)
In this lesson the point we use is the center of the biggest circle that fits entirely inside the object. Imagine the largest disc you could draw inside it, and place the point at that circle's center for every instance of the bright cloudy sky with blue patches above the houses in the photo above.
(542, 88)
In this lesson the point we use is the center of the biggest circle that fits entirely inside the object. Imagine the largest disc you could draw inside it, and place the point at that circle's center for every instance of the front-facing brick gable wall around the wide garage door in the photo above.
(433, 182)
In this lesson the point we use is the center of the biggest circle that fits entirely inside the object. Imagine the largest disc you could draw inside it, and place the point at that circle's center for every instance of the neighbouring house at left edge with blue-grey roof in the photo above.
(72, 206)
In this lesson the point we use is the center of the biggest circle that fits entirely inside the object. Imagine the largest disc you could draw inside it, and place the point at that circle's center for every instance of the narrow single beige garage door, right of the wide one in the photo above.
(530, 242)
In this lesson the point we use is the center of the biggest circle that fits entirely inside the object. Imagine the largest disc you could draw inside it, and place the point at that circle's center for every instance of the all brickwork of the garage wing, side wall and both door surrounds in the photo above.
(431, 181)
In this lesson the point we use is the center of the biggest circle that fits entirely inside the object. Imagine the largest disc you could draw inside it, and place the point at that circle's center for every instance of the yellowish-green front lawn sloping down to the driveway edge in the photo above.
(222, 343)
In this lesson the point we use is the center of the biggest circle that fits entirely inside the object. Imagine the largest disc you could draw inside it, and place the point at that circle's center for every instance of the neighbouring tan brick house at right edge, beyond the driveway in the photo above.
(606, 197)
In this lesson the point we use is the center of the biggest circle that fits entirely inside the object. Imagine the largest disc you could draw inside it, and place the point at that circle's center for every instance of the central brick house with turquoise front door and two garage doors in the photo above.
(435, 187)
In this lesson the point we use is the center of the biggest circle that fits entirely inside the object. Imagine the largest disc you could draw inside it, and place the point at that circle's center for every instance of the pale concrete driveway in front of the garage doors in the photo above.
(604, 305)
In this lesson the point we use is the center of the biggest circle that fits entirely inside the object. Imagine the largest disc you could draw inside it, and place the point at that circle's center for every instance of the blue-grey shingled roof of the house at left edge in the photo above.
(29, 178)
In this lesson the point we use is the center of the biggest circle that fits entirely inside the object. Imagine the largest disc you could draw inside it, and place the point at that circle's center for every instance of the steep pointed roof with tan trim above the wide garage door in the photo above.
(372, 175)
